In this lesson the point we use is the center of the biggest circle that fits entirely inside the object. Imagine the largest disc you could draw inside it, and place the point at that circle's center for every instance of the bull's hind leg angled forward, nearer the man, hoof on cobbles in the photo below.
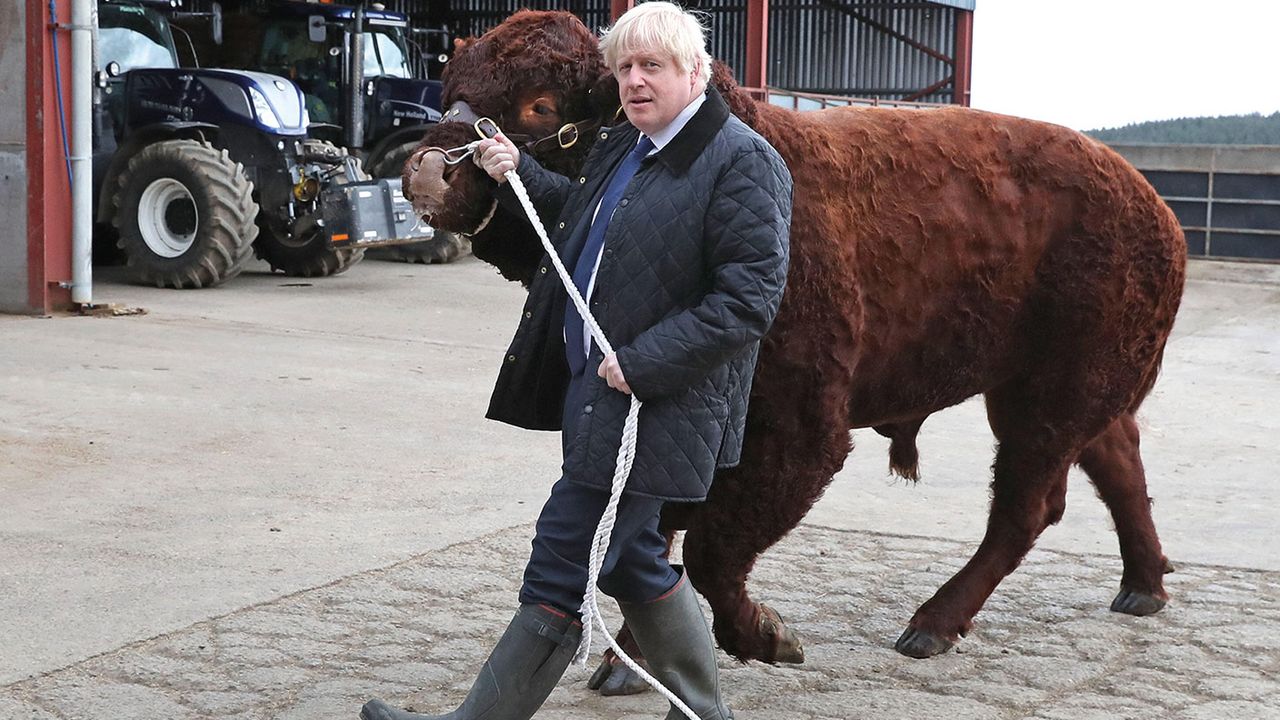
(1037, 446)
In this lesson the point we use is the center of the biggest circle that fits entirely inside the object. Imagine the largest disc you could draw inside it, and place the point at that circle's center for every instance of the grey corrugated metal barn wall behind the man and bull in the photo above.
(886, 49)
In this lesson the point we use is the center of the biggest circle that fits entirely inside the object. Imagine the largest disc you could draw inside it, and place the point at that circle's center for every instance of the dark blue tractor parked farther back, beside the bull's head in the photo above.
(364, 72)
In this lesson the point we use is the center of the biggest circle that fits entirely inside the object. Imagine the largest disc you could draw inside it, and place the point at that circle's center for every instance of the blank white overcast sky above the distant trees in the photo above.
(1104, 63)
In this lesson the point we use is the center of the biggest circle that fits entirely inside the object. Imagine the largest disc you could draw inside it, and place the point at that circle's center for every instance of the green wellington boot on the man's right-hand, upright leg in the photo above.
(678, 644)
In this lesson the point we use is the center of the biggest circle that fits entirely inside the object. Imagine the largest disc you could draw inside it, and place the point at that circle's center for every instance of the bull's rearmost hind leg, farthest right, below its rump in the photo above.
(1114, 463)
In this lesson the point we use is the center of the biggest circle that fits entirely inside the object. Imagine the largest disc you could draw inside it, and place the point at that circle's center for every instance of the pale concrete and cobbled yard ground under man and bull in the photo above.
(277, 498)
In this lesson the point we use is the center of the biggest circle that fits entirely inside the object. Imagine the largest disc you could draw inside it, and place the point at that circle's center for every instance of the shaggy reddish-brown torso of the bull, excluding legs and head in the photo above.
(953, 236)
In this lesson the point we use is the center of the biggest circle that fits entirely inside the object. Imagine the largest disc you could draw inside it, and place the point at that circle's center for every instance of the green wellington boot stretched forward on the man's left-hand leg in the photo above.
(520, 673)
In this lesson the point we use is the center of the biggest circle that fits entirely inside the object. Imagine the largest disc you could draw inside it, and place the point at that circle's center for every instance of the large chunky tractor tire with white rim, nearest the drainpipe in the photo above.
(185, 215)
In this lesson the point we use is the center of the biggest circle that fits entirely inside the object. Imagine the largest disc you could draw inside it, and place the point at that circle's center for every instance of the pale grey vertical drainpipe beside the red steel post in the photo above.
(84, 21)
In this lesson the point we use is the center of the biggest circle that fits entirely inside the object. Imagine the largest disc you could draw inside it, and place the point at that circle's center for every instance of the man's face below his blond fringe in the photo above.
(652, 89)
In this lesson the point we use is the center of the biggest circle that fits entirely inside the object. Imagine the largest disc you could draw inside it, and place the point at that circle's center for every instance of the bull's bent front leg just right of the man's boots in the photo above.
(785, 470)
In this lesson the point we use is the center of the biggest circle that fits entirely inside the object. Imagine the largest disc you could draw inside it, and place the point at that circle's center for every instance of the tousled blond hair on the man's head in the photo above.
(660, 28)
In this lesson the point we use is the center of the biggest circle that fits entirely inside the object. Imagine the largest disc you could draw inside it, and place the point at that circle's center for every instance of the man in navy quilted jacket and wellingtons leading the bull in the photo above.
(676, 234)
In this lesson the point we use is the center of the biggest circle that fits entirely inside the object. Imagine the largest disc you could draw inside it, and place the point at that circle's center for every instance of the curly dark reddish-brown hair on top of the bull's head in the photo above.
(531, 49)
